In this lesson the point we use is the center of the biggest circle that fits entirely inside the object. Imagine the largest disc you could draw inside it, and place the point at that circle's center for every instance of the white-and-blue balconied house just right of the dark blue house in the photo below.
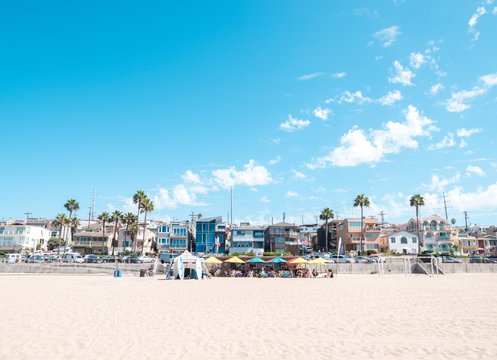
(247, 239)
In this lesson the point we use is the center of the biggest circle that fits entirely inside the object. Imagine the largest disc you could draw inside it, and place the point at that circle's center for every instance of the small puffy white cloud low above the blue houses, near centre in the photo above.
(251, 175)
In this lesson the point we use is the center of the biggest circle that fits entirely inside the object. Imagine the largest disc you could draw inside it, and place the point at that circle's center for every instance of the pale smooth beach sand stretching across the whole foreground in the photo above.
(349, 317)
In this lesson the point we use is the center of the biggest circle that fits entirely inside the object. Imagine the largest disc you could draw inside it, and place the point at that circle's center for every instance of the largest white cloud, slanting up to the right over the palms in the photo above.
(358, 147)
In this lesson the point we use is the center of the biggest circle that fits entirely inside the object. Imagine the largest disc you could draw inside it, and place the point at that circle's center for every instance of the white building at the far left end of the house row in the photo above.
(18, 236)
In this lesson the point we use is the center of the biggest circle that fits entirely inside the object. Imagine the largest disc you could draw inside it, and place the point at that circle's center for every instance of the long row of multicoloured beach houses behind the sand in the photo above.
(213, 235)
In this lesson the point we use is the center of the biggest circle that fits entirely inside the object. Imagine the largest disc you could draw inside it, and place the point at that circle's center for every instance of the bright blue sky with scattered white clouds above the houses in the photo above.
(298, 105)
